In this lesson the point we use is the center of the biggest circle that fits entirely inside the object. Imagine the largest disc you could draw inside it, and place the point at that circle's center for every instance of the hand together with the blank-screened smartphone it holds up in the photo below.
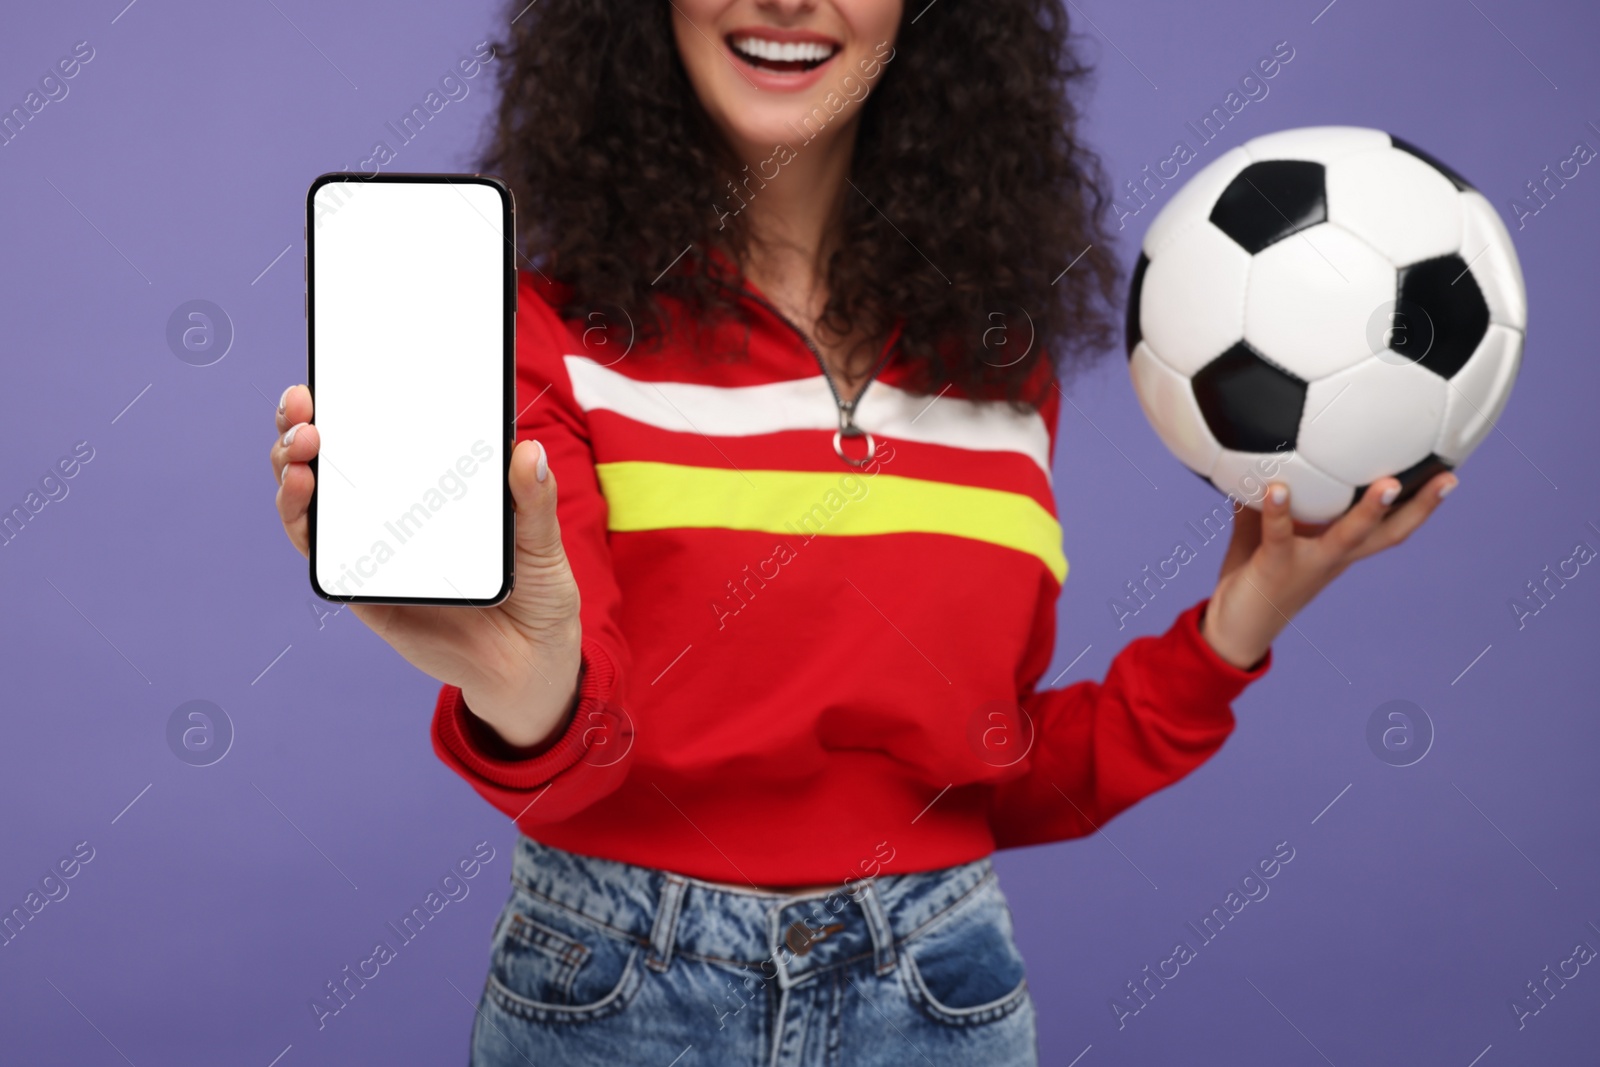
(396, 468)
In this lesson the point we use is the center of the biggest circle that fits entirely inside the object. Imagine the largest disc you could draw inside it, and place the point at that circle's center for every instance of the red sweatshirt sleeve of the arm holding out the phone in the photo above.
(586, 761)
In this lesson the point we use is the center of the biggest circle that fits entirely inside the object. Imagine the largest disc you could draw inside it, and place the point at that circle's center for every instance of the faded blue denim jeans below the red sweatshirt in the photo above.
(606, 964)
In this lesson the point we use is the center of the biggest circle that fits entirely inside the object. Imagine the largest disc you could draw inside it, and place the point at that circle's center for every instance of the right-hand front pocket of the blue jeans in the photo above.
(966, 969)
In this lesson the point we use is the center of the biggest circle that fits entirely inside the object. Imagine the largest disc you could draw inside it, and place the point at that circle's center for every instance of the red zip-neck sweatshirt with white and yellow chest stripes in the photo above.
(798, 671)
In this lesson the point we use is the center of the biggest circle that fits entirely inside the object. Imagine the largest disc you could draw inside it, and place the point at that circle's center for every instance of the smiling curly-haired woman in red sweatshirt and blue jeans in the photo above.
(766, 697)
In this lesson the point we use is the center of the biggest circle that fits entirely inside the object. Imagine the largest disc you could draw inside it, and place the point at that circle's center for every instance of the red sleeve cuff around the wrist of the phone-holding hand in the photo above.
(470, 746)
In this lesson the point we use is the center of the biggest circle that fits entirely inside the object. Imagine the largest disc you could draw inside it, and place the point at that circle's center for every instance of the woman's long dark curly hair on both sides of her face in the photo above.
(975, 193)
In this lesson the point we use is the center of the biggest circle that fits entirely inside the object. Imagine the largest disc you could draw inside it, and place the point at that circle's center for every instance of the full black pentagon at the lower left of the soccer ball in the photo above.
(1250, 406)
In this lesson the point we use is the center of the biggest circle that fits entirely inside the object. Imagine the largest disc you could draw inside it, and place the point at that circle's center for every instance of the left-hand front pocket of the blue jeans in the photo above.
(553, 967)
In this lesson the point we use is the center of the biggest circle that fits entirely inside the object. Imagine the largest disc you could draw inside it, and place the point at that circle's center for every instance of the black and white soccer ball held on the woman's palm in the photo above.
(1326, 308)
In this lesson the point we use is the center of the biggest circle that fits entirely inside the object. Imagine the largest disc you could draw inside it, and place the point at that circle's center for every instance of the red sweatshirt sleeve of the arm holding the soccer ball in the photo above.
(1098, 748)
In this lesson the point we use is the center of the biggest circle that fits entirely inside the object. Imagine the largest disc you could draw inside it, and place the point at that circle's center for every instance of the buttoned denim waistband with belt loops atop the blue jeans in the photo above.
(785, 937)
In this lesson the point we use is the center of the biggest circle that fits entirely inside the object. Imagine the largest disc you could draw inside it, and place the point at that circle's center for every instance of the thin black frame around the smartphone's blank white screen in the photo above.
(508, 375)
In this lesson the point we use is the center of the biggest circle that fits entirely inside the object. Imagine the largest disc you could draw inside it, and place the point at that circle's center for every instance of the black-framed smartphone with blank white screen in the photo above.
(410, 359)
